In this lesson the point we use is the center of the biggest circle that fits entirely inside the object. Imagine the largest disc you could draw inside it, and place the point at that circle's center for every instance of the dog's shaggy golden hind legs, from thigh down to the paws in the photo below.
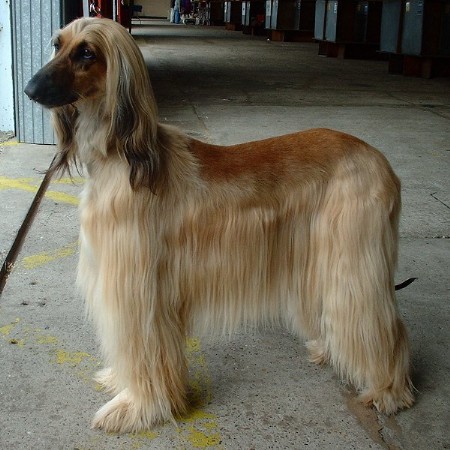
(361, 333)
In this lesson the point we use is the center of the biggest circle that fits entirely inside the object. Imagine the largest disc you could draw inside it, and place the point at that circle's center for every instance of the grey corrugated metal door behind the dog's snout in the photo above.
(33, 24)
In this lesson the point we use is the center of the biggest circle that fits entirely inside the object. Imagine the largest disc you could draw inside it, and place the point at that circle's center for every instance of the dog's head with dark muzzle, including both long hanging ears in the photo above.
(97, 66)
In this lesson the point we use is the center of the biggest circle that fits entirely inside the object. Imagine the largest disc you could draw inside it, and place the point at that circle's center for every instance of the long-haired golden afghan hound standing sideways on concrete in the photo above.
(180, 235)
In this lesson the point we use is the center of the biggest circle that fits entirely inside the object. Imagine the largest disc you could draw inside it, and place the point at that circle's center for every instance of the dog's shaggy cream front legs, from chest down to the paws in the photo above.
(136, 311)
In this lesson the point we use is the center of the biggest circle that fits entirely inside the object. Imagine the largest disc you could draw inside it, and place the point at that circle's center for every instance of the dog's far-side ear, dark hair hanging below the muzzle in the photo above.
(63, 119)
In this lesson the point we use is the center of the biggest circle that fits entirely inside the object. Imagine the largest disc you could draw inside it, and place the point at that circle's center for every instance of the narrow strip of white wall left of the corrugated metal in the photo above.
(6, 72)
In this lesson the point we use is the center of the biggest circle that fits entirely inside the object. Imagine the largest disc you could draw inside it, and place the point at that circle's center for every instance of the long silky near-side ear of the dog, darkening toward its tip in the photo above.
(134, 118)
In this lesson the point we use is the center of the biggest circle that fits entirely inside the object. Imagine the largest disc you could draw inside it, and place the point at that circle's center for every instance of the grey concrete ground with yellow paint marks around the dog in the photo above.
(256, 391)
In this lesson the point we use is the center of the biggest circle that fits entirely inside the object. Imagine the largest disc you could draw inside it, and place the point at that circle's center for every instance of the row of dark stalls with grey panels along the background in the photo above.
(413, 34)
